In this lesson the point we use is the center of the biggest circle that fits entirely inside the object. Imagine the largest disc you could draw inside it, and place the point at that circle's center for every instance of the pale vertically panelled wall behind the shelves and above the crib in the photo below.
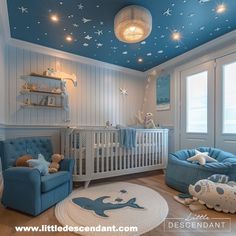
(94, 101)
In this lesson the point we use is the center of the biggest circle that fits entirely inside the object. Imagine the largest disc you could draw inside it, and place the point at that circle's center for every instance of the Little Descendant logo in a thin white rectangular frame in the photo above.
(200, 223)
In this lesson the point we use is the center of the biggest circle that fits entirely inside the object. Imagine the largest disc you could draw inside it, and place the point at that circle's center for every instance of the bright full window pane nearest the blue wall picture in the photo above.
(197, 103)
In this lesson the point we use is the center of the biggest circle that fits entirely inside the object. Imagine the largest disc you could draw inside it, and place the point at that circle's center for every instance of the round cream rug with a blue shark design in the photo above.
(119, 204)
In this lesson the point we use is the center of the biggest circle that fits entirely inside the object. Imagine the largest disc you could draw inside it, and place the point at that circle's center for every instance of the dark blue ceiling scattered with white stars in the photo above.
(90, 24)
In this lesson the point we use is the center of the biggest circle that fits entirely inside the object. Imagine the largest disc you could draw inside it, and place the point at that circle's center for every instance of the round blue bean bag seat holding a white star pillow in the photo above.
(180, 173)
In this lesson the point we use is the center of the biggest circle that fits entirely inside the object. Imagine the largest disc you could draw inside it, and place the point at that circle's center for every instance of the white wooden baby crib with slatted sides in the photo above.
(98, 154)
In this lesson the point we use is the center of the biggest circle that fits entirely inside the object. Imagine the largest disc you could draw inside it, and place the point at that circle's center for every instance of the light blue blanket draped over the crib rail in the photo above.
(127, 137)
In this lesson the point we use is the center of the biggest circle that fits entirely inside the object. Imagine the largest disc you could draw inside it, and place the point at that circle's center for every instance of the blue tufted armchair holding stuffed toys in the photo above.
(25, 189)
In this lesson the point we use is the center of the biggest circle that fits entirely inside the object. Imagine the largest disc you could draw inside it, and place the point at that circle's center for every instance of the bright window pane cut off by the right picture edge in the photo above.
(229, 98)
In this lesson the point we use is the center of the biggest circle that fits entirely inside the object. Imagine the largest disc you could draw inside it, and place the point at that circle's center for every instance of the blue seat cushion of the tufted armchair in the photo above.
(51, 181)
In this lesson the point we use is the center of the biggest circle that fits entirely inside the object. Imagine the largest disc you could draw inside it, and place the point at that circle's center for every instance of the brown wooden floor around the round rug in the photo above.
(154, 180)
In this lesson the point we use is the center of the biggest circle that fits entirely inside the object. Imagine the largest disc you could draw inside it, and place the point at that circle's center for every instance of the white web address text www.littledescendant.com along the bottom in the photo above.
(56, 228)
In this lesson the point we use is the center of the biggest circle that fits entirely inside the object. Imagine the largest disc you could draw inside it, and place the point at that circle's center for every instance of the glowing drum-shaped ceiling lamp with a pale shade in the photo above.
(133, 24)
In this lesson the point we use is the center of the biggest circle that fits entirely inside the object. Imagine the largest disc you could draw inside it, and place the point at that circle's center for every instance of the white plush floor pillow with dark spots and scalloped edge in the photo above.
(217, 195)
